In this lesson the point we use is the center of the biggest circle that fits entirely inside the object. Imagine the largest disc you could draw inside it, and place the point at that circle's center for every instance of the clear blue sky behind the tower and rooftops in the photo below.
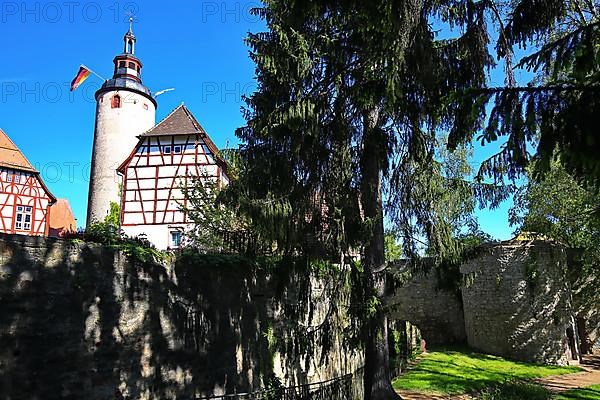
(195, 47)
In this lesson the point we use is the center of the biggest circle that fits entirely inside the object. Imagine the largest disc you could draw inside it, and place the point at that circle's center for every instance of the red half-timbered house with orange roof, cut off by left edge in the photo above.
(24, 198)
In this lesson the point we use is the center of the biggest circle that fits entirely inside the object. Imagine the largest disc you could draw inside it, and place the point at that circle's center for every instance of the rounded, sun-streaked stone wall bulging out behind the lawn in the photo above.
(517, 303)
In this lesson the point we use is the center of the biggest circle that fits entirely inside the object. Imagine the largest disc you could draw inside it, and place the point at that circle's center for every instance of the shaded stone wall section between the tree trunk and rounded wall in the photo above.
(436, 311)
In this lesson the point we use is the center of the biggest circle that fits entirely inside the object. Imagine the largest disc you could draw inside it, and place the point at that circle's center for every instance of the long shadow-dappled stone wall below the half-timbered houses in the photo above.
(80, 321)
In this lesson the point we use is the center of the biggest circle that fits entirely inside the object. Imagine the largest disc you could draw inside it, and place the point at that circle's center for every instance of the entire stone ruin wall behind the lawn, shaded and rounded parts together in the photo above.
(516, 303)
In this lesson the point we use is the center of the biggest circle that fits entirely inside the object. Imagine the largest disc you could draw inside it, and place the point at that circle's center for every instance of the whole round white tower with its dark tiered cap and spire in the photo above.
(124, 110)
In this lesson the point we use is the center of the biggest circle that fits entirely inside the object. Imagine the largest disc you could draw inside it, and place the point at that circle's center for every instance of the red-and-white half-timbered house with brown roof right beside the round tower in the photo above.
(155, 172)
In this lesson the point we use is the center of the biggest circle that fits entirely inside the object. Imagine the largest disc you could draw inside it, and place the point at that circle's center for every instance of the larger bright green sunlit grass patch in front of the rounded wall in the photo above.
(457, 372)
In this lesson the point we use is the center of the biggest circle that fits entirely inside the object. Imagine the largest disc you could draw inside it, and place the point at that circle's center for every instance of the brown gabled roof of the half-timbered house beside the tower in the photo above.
(180, 121)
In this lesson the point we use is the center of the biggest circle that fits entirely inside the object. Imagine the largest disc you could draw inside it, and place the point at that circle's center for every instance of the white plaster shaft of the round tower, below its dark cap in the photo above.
(114, 139)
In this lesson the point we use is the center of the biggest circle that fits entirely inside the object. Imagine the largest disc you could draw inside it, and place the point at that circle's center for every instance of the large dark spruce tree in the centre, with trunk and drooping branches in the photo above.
(345, 123)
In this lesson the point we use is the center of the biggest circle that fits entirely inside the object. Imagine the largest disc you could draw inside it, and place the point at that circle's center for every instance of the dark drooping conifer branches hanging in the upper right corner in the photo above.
(559, 110)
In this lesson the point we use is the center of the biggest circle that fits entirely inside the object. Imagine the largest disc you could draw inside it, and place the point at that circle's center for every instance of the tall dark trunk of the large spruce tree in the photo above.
(377, 377)
